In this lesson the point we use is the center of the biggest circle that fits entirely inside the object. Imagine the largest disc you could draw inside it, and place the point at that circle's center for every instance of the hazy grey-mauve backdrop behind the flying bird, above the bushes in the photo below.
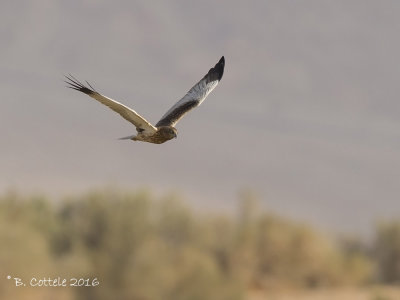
(307, 114)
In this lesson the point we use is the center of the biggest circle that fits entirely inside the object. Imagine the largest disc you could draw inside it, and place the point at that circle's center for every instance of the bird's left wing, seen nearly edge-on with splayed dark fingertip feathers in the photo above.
(127, 113)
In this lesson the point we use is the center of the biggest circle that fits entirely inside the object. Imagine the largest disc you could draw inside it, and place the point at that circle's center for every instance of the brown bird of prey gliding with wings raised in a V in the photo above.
(164, 130)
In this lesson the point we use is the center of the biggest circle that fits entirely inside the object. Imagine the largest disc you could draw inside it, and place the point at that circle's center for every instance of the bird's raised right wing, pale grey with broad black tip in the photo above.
(195, 96)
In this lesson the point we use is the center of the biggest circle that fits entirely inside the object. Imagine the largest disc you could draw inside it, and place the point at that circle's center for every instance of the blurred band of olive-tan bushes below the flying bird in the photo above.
(137, 247)
